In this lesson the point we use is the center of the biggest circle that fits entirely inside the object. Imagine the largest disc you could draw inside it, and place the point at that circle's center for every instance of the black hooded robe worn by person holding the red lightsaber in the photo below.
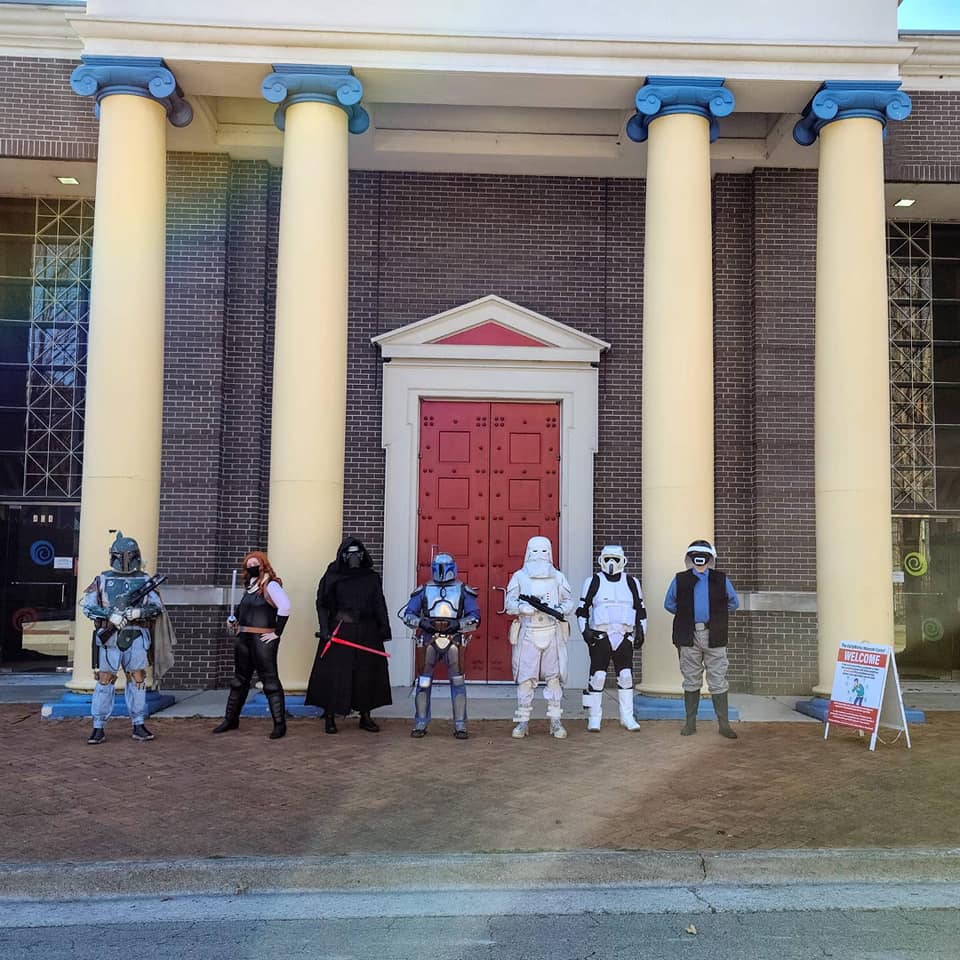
(345, 679)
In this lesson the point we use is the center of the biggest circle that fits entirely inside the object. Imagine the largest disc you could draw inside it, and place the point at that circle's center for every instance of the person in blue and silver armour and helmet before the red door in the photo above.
(444, 612)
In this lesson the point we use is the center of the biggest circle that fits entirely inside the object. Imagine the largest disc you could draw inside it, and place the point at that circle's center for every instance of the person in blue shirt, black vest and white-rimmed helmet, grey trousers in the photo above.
(701, 599)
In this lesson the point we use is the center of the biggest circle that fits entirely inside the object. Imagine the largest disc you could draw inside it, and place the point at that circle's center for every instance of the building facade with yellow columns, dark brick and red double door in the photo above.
(440, 283)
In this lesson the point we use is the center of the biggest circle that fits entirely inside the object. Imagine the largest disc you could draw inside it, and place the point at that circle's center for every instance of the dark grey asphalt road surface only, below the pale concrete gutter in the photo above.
(902, 934)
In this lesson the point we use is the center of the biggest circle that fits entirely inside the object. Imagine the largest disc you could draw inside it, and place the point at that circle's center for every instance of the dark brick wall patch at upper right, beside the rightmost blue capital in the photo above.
(925, 148)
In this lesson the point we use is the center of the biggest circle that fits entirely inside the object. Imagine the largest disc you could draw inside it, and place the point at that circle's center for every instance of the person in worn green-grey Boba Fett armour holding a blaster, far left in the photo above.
(126, 610)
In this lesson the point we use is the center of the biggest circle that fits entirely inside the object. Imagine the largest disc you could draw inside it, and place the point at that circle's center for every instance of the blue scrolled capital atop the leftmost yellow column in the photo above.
(139, 76)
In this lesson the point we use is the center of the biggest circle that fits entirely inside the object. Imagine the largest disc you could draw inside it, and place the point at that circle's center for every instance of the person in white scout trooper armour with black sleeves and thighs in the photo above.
(613, 621)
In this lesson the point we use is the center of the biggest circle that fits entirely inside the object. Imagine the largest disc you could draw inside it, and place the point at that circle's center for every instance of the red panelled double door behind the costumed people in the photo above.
(489, 480)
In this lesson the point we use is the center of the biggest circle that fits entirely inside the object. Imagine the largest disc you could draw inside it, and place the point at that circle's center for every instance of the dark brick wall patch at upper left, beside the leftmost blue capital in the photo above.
(40, 116)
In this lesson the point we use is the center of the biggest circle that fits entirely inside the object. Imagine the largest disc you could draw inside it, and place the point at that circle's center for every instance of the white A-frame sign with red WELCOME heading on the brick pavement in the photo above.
(866, 691)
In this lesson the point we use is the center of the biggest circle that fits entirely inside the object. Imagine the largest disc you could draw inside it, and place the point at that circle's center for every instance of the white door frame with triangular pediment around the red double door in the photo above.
(562, 368)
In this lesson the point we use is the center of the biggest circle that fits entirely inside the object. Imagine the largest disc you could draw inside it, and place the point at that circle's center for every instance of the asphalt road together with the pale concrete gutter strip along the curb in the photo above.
(899, 920)
